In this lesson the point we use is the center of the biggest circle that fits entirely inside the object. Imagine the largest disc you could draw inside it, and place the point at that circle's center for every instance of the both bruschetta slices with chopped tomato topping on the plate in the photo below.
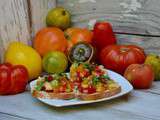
(86, 82)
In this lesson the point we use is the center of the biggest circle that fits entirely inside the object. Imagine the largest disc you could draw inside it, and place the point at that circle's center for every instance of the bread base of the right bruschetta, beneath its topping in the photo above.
(99, 95)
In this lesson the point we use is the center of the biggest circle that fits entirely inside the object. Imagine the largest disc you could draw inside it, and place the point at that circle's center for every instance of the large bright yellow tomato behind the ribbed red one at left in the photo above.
(20, 54)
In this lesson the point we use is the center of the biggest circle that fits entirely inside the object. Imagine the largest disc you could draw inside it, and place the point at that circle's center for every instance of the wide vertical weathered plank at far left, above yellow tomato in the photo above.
(14, 23)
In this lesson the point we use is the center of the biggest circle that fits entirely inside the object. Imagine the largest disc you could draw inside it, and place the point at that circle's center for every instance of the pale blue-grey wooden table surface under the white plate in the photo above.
(138, 105)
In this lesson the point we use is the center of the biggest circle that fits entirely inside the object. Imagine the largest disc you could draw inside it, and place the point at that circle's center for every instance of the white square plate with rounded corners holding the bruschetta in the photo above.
(126, 87)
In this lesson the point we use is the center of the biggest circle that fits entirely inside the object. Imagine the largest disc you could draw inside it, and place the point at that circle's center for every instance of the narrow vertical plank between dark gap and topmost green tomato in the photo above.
(38, 10)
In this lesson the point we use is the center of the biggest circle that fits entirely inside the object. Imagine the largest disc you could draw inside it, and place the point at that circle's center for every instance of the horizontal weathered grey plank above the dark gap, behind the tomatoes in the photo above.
(126, 16)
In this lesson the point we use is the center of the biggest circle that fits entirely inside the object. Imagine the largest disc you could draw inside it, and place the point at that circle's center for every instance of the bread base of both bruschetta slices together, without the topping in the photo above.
(81, 96)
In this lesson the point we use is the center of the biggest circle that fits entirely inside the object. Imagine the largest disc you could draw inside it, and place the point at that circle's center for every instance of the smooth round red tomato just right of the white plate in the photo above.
(140, 75)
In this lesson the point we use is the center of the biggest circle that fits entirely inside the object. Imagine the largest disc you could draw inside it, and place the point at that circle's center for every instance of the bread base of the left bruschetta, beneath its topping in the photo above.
(51, 95)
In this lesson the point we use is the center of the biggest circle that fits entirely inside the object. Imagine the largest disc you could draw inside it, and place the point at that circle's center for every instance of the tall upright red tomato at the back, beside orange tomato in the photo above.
(103, 35)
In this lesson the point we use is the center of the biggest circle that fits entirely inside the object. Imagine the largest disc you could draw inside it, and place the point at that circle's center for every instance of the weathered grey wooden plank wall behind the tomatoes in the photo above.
(134, 21)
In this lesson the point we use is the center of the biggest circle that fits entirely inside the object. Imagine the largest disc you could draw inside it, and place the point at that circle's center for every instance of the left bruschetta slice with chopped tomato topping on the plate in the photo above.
(56, 86)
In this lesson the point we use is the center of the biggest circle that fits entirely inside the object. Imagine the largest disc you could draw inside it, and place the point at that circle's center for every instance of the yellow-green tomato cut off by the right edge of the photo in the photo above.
(154, 61)
